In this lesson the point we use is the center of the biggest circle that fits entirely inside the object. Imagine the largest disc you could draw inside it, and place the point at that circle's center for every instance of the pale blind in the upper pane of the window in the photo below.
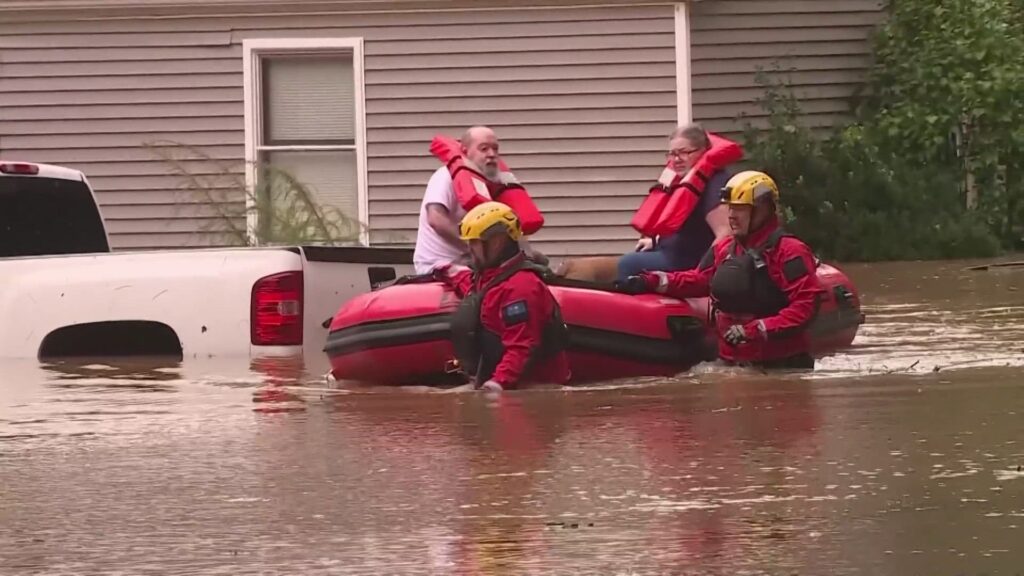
(310, 98)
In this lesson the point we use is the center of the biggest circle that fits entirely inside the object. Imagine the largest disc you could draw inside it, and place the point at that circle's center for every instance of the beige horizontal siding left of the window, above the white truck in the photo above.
(94, 101)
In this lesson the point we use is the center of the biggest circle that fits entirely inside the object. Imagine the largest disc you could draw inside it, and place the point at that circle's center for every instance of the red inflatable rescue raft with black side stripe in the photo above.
(401, 335)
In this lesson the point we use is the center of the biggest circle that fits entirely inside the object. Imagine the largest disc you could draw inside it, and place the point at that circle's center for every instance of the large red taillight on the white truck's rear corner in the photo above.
(277, 311)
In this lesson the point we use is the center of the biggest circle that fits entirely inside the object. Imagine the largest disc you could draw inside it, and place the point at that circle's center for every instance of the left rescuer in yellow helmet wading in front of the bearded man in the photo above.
(508, 328)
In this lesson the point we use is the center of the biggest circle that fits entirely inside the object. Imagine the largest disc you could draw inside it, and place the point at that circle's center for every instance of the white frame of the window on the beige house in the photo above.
(253, 51)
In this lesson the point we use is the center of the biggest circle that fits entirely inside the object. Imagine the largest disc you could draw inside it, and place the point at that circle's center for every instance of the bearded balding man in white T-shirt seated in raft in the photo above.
(438, 239)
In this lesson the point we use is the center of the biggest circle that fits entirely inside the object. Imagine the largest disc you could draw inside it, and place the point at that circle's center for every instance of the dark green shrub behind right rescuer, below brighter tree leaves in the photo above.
(851, 200)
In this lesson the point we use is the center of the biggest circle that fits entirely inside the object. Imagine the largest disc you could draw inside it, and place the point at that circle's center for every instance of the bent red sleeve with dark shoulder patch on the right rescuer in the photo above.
(795, 273)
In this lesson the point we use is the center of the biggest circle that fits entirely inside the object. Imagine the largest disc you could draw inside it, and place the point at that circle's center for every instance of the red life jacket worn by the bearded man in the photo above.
(473, 188)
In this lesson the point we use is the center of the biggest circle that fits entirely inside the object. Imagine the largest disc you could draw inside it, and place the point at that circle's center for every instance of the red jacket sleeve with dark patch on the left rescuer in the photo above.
(522, 310)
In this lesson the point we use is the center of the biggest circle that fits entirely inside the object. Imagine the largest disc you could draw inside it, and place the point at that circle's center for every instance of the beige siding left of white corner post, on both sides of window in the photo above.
(582, 100)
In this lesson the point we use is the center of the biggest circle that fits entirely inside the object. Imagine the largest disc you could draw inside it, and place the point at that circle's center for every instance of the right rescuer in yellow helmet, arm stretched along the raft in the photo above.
(762, 281)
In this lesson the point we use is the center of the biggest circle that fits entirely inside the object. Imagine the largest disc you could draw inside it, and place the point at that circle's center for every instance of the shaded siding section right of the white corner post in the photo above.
(821, 48)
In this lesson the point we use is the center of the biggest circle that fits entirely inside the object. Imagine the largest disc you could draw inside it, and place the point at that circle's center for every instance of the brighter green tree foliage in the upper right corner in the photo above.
(948, 87)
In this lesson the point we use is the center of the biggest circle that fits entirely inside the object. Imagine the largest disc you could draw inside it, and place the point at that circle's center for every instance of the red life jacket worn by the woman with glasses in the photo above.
(673, 198)
